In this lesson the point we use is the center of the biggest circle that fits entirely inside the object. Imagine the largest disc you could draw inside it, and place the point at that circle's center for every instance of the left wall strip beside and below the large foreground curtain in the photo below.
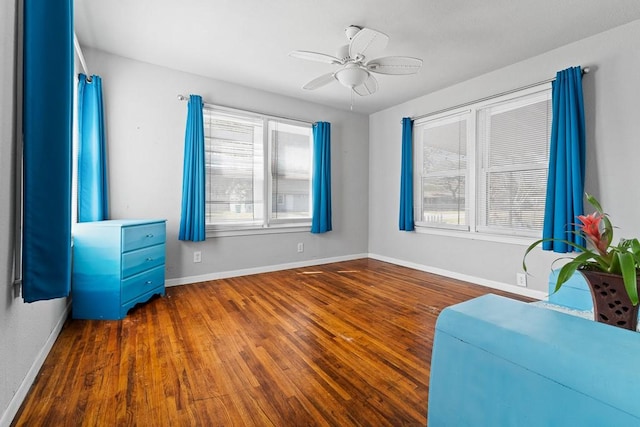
(27, 331)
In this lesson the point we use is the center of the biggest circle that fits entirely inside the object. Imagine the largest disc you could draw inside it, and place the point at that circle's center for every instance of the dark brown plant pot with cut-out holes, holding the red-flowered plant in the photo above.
(611, 303)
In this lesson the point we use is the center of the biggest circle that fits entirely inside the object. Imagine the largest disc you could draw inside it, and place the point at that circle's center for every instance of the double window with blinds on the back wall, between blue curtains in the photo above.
(258, 170)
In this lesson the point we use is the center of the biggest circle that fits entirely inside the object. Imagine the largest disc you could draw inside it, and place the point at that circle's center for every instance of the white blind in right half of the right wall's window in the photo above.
(514, 142)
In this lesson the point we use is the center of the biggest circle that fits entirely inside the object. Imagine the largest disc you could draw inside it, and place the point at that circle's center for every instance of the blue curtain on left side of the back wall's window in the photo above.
(192, 218)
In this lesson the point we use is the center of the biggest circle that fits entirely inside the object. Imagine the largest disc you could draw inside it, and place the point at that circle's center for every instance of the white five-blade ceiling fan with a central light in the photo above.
(355, 69)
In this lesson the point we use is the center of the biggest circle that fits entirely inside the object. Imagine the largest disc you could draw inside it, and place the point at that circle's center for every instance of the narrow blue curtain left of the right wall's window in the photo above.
(406, 176)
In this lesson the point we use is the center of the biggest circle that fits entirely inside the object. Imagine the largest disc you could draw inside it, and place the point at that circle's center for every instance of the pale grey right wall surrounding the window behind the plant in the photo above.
(612, 111)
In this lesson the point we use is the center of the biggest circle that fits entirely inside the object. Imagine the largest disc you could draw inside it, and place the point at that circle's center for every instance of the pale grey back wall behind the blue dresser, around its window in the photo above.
(145, 137)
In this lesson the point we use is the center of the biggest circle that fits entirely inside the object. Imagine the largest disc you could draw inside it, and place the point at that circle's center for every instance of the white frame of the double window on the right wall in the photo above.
(475, 230)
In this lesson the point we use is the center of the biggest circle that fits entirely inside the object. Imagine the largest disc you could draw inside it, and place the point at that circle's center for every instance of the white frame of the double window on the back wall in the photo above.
(267, 224)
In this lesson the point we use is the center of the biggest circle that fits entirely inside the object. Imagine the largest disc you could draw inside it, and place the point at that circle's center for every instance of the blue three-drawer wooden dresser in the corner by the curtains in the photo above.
(116, 265)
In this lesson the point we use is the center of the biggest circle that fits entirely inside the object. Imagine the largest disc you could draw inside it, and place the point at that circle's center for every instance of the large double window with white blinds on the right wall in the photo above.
(484, 169)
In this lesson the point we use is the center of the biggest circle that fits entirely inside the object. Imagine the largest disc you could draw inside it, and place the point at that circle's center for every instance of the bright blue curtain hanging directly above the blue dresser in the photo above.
(93, 203)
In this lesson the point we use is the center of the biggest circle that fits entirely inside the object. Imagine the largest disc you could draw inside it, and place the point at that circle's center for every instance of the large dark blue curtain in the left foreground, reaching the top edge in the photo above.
(47, 129)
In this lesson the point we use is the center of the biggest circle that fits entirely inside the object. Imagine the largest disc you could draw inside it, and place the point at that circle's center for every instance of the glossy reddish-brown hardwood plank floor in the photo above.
(344, 344)
